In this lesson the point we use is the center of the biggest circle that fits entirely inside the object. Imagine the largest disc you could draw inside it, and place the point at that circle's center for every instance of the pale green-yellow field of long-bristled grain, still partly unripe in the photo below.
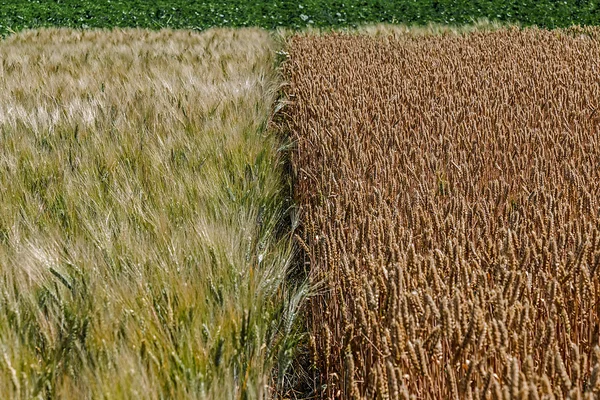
(143, 207)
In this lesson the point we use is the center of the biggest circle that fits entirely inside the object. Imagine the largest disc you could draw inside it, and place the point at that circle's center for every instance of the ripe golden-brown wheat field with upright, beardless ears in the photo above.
(449, 189)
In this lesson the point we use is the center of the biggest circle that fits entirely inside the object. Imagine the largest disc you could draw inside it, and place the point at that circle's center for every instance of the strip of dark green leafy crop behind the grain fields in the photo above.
(193, 14)
